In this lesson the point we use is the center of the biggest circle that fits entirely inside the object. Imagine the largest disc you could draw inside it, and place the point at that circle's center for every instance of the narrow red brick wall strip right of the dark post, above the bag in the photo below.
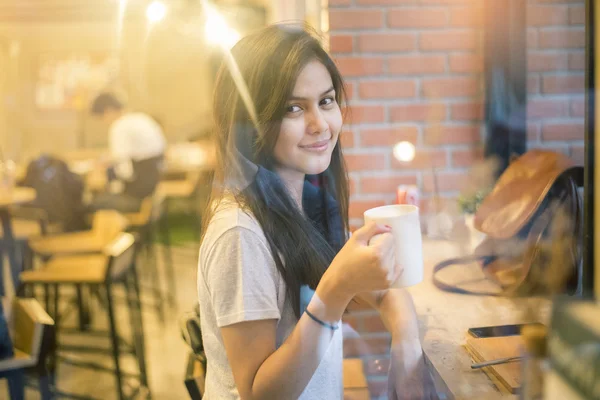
(556, 75)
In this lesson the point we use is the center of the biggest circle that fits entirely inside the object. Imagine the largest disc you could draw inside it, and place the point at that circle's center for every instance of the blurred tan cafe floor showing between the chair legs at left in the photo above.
(165, 349)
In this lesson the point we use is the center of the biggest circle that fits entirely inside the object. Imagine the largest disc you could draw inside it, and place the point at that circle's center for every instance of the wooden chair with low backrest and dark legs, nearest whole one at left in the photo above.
(101, 272)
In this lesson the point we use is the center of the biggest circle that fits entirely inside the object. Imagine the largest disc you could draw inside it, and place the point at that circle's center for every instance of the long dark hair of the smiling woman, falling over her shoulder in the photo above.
(269, 61)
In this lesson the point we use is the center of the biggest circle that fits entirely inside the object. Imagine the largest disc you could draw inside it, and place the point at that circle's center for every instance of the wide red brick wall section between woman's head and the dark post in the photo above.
(409, 64)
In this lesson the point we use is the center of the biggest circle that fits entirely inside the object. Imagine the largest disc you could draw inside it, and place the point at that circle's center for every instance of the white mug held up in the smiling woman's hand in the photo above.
(408, 245)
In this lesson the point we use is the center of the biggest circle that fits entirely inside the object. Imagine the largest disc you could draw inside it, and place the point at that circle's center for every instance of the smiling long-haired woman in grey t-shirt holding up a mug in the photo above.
(277, 227)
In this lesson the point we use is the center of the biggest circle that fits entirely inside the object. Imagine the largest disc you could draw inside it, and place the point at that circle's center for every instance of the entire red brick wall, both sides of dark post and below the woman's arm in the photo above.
(414, 73)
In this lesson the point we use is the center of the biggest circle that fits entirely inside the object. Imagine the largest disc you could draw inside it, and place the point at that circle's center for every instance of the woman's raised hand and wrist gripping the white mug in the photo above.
(365, 263)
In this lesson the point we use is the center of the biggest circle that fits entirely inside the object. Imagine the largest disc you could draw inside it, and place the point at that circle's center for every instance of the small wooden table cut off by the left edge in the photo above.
(16, 196)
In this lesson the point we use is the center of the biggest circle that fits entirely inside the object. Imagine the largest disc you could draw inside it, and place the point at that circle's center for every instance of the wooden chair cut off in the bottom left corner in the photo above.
(33, 342)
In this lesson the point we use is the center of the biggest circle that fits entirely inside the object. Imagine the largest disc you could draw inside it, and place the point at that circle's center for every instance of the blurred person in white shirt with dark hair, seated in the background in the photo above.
(137, 146)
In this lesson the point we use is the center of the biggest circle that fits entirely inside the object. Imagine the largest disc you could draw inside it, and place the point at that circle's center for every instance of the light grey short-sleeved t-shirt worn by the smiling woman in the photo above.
(239, 281)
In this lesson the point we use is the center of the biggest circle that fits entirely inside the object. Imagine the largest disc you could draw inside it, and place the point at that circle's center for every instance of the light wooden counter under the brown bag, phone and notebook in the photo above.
(444, 319)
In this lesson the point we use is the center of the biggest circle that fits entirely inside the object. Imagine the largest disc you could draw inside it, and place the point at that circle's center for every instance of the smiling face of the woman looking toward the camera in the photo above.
(310, 127)
